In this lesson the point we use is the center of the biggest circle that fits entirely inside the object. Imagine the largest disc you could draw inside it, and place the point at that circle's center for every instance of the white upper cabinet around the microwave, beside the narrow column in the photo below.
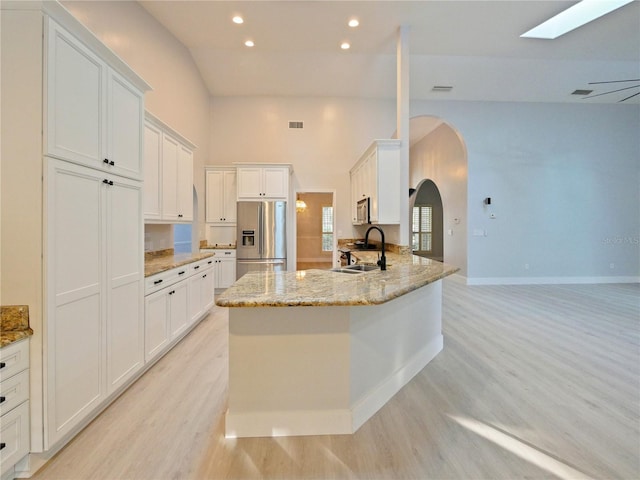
(377, 176)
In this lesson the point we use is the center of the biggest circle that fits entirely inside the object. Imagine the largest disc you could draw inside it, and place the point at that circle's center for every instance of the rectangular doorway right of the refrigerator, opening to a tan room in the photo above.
(315, 230)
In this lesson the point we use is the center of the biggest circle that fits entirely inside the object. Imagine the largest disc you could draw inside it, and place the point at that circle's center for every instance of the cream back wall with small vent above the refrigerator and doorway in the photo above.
(336, 132)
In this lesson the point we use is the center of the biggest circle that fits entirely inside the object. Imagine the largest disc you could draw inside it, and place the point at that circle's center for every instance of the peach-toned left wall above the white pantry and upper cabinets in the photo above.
(179, 97)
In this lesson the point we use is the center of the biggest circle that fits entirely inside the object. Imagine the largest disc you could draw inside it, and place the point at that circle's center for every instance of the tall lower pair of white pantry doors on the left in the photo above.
(95, 273)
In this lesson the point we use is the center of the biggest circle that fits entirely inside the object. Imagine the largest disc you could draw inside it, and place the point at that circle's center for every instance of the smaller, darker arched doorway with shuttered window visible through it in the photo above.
(426, 223)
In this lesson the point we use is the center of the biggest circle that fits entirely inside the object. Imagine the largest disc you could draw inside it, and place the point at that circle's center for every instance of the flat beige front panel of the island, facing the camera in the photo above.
(288, 371)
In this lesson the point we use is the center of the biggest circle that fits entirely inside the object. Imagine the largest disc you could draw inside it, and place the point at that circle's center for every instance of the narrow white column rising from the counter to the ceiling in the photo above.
(402, 128)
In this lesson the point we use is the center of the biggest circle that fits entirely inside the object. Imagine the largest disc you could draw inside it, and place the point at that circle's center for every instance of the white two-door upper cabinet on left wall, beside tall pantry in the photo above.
(168, 174)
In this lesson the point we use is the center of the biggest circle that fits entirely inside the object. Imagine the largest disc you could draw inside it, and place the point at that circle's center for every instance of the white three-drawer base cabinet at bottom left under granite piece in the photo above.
(14, 407)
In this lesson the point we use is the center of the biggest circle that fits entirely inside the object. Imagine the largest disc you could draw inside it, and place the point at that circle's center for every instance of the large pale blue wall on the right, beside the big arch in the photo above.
(564, 180)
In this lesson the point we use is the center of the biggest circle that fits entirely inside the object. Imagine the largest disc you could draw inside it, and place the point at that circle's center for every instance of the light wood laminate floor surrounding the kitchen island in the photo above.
(533, 382)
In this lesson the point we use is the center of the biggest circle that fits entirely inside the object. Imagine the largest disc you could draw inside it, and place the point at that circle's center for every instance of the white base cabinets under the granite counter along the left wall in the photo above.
(174, 301)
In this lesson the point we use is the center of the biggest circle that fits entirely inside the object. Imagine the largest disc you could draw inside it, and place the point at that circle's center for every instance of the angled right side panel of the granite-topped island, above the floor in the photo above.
(390, 344)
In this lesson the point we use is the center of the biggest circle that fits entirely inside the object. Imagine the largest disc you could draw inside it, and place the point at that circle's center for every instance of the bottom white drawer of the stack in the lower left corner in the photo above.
(14, 436)
